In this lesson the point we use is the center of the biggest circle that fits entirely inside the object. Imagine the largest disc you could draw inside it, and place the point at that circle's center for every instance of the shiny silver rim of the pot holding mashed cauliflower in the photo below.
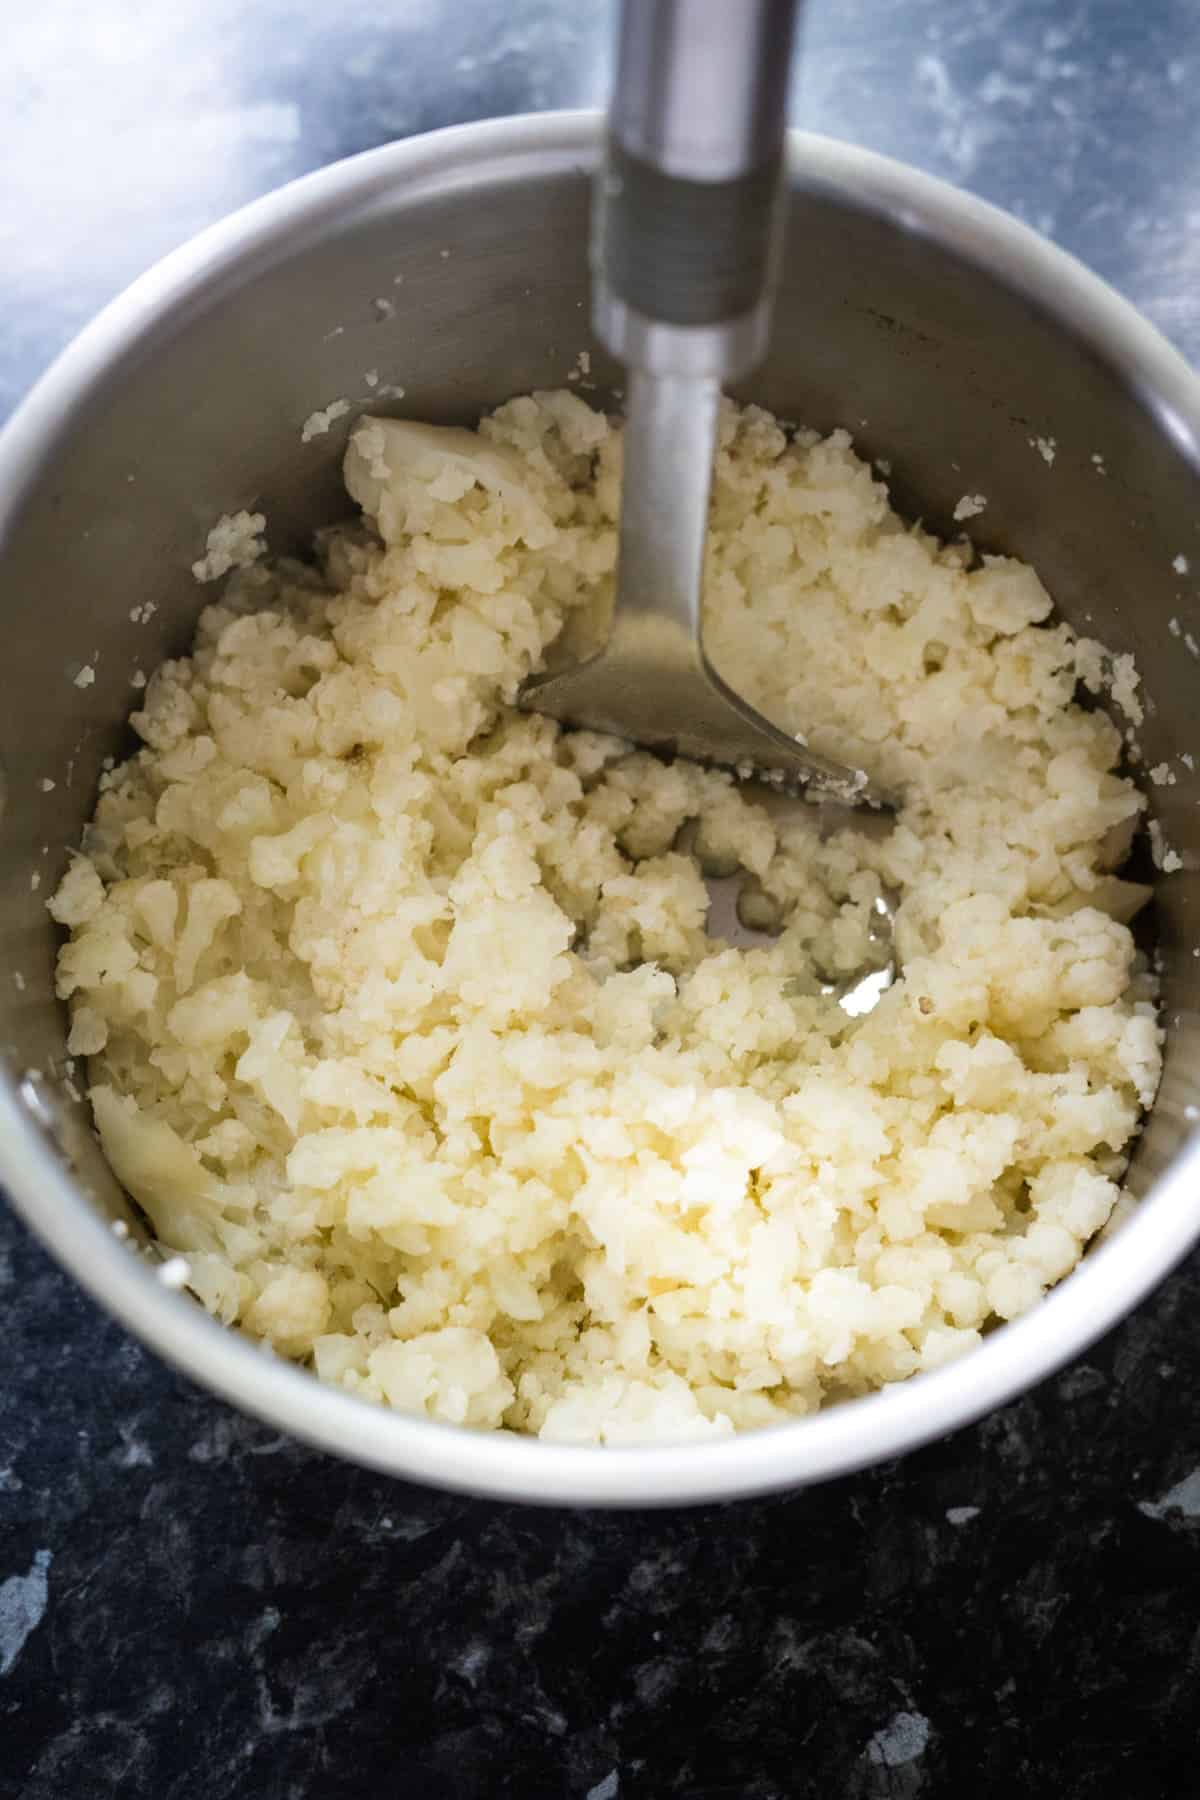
(505, 1466)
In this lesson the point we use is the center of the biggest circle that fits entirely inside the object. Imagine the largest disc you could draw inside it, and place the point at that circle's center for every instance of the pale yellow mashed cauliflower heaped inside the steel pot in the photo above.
(402, 1018)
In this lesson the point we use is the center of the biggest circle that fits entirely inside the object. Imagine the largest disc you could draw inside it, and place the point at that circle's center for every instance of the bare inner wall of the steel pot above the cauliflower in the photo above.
(463, 300)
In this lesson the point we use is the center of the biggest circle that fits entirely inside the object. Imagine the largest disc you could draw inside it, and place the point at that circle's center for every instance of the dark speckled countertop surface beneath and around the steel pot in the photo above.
(193, 1606)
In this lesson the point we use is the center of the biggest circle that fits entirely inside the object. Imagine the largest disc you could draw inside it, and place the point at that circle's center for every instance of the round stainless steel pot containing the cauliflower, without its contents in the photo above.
(945, 336)
